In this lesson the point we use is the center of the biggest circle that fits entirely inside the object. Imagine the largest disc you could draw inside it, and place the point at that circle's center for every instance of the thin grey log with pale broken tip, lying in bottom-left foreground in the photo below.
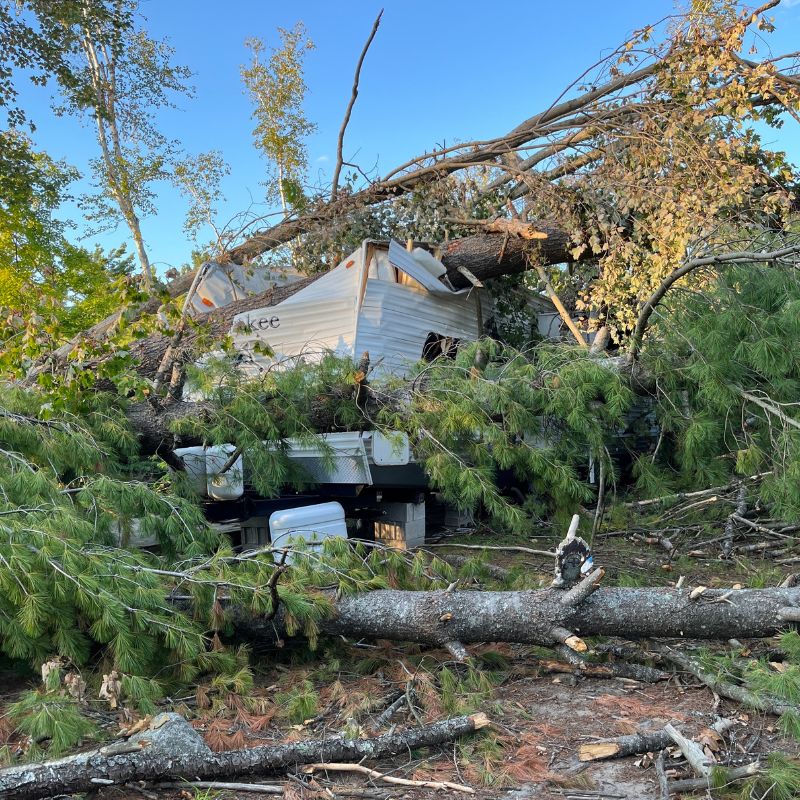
(171, 748)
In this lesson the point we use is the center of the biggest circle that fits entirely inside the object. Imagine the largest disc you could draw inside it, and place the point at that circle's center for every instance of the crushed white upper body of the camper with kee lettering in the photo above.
(383, 299)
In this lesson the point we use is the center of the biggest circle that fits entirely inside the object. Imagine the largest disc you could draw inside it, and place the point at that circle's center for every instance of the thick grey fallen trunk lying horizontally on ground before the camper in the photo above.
(550, 617)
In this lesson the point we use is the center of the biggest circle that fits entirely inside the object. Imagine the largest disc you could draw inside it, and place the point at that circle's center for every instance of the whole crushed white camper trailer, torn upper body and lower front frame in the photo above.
(393, 303)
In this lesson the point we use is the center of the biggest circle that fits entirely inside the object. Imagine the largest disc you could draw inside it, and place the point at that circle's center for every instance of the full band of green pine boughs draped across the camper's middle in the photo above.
(537, 415)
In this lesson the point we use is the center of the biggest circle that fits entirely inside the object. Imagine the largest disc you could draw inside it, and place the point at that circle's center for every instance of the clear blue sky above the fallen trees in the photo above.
(437, 72)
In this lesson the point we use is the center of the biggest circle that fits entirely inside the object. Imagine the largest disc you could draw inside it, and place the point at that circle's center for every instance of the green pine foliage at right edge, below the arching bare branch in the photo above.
(709, 348)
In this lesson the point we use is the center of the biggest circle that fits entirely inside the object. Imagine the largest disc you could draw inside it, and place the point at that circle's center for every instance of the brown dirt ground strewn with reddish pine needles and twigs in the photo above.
(539, 719)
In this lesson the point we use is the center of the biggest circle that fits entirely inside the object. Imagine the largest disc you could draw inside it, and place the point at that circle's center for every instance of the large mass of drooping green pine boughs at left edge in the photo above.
(65, 497)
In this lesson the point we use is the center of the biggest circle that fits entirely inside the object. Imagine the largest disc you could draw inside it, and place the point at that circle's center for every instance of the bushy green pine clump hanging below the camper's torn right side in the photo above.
(538, 415)
